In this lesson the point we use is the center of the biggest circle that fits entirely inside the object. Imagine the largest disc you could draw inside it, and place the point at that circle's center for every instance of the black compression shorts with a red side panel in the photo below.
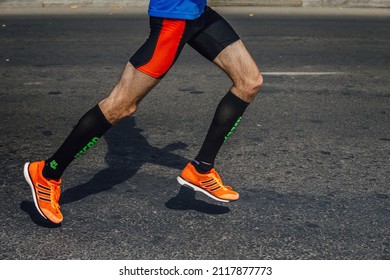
(209, 35)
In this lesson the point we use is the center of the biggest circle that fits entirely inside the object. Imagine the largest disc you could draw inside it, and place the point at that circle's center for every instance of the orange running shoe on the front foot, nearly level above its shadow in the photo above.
(209, 184)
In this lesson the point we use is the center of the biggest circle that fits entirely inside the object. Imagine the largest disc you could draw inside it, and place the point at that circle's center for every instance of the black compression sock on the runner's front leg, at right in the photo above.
(227, 116)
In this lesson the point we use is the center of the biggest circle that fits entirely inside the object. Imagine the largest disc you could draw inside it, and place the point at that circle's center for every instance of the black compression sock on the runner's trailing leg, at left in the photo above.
(84, 136)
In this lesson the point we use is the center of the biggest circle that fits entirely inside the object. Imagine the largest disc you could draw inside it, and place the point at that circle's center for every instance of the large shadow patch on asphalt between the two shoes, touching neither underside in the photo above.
(127, 151)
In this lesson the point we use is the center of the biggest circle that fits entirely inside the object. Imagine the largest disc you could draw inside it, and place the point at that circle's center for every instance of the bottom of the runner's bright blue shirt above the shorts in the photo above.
(177, 9)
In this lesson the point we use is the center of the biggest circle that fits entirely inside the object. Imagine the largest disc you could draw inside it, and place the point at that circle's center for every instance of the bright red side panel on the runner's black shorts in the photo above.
(166, 48)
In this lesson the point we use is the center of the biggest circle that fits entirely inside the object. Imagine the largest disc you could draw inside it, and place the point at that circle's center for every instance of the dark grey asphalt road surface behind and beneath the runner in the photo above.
(310, 158)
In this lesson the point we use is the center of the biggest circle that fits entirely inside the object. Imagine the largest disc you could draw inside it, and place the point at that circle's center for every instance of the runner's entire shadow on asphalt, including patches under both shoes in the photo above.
(127, 151)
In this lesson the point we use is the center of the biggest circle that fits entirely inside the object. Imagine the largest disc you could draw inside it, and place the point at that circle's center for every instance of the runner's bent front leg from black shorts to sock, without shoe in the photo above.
(219, 43)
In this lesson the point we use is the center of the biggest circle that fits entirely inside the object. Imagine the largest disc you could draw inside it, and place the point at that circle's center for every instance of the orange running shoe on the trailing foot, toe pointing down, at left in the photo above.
(46, 193)
